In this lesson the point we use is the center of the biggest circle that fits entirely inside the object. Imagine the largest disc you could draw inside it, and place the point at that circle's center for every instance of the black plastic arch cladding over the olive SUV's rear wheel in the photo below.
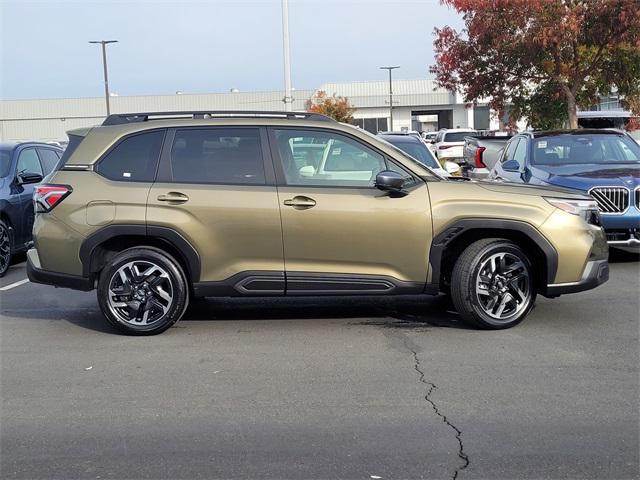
(102, 245)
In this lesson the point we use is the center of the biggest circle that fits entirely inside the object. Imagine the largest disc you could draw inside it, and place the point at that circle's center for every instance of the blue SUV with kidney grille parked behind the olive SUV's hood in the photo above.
(604, 163)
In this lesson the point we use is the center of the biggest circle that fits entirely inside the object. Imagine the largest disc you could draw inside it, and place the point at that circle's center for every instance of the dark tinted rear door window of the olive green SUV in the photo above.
(218, 155)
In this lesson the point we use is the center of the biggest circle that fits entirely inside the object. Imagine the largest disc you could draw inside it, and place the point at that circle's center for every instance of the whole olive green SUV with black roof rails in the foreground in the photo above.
(155, 209)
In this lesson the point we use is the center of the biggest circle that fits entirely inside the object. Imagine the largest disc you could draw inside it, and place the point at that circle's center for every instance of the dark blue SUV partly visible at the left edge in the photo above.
(22, 165)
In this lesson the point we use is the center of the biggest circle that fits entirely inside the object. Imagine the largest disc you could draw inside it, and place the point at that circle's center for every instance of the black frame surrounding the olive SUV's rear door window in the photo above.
(165, 172)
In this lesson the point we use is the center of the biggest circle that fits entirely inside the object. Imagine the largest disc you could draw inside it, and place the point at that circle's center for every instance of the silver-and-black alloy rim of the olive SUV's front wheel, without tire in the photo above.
(503, 286)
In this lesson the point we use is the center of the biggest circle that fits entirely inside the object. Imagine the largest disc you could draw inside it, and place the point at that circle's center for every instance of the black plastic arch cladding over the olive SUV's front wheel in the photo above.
(449, 244)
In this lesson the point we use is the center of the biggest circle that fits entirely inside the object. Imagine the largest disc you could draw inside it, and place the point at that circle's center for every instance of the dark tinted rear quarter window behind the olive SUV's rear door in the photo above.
(133, 159)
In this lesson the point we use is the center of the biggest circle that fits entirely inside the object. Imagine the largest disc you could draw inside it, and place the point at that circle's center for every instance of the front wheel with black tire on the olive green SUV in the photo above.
(490, 298)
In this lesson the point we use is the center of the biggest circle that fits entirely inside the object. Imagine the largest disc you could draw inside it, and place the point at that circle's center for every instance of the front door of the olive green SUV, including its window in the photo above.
(341, 234)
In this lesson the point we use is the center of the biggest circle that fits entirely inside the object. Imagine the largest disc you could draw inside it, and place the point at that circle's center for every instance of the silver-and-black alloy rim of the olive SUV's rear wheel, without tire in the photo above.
(140, 293)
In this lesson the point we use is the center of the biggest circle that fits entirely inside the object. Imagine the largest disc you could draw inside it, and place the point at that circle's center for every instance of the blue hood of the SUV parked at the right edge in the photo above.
(583, 177)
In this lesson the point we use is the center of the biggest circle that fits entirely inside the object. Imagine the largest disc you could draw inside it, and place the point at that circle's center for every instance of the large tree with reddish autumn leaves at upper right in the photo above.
(540, 55)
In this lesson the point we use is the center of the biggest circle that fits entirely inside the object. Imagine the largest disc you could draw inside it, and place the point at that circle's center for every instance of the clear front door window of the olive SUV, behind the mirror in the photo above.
(330, 159)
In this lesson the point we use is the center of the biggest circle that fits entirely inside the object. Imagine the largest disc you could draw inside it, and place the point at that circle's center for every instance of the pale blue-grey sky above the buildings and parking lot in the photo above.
(209, 46)
